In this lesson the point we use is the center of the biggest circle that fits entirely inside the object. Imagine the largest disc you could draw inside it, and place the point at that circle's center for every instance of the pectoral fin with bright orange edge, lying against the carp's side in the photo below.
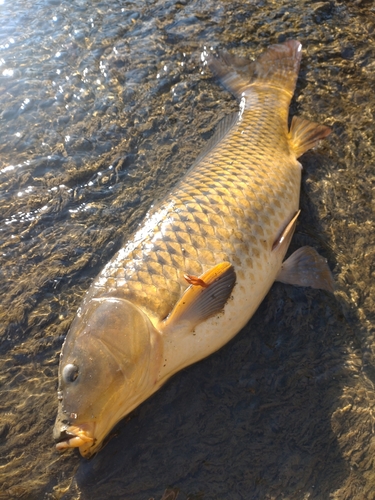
(206, 296)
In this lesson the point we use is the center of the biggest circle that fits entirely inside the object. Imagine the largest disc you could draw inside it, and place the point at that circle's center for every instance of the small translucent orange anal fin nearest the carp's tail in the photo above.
(304, 134)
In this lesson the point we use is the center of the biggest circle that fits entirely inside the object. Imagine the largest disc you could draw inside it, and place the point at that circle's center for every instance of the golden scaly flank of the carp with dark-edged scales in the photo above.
(229, 207)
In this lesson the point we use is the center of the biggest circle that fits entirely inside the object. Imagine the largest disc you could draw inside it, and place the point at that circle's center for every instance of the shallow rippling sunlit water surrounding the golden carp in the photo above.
(103, 105)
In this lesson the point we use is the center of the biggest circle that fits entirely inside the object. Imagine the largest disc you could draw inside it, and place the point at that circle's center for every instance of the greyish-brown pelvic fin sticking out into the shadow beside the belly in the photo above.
(305, 267)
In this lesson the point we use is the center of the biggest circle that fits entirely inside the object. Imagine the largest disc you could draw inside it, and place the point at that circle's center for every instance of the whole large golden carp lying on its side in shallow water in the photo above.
(200, 264)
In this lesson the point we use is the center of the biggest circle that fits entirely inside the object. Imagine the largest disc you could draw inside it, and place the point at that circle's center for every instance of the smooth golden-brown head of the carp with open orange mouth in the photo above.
(109, 365)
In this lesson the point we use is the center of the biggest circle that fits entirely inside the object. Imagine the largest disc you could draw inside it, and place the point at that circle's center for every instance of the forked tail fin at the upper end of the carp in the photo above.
(277, 67)
